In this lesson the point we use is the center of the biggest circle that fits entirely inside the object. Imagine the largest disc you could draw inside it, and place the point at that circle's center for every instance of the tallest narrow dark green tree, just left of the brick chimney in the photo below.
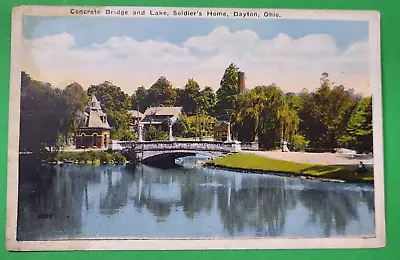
(228, 93)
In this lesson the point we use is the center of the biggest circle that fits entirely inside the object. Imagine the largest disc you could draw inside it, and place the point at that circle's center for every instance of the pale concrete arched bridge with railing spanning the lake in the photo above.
(156, 151)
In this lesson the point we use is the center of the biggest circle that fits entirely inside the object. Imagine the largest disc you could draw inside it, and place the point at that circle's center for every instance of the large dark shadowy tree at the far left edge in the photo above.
(45, 115)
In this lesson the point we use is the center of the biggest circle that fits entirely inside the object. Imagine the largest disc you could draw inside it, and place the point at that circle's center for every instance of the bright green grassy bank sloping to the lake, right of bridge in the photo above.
(259, 164)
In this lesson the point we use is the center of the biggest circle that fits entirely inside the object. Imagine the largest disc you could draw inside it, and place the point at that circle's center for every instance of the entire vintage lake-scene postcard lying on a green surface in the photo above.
(151, 128)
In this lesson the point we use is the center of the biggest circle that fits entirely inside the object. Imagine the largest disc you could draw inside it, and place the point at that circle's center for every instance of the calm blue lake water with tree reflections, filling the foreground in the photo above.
(146, 202)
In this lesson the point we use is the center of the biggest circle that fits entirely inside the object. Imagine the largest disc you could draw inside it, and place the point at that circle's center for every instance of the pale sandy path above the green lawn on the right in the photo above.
(317, 158)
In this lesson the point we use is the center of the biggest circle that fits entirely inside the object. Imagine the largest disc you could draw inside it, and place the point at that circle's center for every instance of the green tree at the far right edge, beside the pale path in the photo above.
(358, 134)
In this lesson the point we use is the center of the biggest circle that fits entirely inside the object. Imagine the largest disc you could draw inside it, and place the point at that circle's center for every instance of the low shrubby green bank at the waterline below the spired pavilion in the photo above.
(86, 157)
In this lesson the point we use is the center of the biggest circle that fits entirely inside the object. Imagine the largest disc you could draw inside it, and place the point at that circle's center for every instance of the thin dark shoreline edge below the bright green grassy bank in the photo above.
(286, 174)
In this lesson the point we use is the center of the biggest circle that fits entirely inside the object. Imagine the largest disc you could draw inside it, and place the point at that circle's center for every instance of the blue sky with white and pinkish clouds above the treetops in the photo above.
(133, 52)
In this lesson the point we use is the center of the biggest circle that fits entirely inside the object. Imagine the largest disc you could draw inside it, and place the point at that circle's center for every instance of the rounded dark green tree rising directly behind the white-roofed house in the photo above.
(160, 93)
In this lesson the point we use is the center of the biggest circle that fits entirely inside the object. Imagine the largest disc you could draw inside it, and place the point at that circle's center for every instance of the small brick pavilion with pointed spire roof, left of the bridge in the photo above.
(93, 130)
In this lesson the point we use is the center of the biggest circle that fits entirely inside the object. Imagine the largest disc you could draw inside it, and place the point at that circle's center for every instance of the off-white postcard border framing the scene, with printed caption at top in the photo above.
(195, 244)
